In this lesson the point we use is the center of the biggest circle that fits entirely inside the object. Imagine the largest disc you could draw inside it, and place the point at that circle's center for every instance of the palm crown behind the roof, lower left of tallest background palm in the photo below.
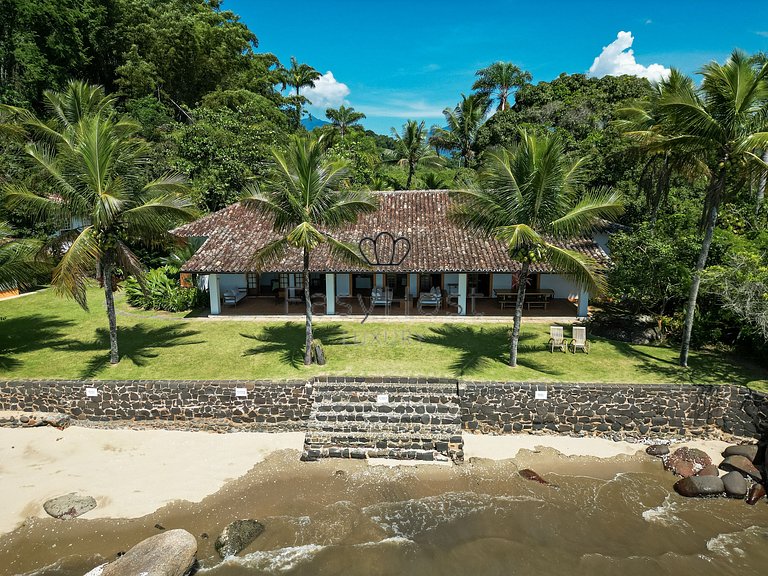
(464, 123)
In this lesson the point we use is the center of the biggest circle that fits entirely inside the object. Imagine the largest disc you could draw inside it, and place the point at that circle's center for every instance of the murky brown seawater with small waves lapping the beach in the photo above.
(481, 518)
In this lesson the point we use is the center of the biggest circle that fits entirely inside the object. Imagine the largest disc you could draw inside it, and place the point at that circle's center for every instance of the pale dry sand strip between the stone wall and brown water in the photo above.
(132, 473)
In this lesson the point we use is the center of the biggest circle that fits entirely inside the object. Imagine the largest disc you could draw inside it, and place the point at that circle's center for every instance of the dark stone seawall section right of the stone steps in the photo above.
(611, 409)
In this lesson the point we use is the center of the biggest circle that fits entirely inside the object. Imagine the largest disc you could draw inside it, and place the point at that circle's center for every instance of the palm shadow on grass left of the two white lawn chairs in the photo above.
(478, 347)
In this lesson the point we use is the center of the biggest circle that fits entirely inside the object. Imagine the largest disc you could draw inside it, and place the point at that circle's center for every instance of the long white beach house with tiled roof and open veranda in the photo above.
(419, 263)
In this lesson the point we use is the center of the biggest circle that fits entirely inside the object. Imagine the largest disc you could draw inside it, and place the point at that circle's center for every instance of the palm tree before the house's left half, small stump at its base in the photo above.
(302, 197)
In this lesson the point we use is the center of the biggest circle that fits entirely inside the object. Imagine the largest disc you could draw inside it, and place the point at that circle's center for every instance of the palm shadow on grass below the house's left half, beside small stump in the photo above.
(288, 340)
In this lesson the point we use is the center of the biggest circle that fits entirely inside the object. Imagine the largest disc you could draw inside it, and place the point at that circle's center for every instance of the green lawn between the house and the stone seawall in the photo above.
(43, 336)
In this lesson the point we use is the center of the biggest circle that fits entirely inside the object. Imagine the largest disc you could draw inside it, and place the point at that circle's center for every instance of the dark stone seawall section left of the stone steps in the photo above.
(269, 403)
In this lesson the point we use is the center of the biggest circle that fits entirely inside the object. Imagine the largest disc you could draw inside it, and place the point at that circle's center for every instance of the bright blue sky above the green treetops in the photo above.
(396, 60)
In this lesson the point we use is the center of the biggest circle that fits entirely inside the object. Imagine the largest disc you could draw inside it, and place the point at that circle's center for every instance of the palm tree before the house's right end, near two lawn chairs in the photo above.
(528, 200)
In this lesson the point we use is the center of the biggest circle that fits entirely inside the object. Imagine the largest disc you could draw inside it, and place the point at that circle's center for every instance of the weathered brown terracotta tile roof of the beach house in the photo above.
(236, 233)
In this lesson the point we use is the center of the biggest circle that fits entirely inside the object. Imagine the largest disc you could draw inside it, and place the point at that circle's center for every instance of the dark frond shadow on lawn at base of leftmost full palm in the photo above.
(138, 344)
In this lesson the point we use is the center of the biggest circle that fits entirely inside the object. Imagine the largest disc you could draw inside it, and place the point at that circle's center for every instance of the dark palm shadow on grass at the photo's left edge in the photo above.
(26, 334)
